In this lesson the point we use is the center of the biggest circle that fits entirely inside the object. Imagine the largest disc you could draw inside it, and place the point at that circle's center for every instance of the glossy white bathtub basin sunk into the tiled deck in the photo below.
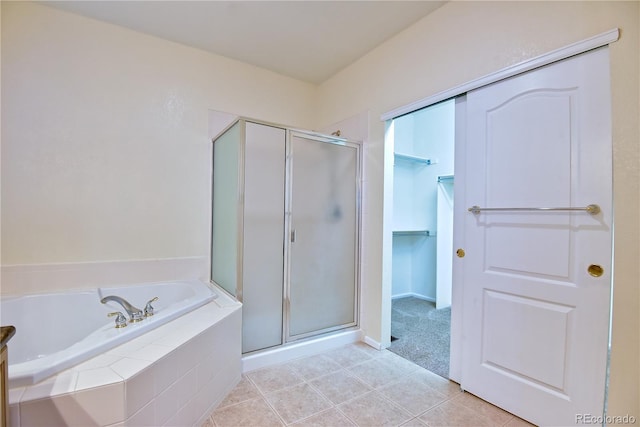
(59, 330)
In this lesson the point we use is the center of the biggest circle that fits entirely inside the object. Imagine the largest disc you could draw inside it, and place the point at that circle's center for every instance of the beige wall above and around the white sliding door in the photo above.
(462, 41)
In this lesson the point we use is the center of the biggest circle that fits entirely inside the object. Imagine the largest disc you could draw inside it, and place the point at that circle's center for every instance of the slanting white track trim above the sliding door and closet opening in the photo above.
(510, 71)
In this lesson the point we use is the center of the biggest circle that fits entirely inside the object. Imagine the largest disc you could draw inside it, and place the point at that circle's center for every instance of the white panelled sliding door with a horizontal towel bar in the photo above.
(536, 295)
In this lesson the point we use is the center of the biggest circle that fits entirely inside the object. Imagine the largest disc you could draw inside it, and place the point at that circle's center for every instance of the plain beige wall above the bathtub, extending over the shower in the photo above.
(105, 152)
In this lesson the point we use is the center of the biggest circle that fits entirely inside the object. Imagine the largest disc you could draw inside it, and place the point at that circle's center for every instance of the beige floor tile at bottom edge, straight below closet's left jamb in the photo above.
(372, 409)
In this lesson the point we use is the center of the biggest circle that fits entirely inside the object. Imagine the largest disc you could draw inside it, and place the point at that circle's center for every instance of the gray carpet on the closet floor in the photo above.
(422, 333)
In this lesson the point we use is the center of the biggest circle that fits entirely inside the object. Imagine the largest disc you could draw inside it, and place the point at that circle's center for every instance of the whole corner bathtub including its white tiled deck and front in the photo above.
(69, 365)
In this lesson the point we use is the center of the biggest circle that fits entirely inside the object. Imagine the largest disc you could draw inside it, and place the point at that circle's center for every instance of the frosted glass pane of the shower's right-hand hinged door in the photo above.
(323, 234)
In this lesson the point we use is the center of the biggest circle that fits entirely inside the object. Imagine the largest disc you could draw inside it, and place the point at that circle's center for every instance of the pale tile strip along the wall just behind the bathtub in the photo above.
(41, 278)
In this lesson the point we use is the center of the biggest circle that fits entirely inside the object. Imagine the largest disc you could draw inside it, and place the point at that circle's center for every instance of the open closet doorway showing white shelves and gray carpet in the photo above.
(423, 186)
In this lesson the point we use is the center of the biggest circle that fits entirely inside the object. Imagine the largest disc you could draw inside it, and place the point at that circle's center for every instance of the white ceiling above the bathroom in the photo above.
(306, 40)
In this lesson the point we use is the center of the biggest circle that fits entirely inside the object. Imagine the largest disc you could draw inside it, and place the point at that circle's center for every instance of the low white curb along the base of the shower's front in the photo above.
(296, 350)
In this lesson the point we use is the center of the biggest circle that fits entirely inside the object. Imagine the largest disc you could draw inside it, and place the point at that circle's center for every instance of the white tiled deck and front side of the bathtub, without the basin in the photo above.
(173, 375)
